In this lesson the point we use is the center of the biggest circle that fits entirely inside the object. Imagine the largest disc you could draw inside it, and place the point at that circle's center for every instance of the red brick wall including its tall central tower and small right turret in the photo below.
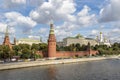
(52, 53)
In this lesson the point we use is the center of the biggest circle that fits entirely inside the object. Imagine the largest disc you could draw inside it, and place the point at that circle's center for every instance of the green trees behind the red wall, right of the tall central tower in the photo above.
(114, 49)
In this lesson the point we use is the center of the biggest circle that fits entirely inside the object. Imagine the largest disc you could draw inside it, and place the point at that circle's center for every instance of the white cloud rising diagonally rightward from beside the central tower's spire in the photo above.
(82, 19)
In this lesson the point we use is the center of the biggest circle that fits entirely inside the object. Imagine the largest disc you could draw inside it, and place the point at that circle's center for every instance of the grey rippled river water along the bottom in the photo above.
(91, 70)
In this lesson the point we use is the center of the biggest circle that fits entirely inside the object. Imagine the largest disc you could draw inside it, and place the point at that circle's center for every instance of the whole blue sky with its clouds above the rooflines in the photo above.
(31, 18)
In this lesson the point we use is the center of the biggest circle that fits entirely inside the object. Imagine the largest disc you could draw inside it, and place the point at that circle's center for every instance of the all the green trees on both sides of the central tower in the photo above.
(26, 51)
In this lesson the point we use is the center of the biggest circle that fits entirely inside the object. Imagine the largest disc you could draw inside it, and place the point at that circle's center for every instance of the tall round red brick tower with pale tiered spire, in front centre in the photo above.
(51, 43)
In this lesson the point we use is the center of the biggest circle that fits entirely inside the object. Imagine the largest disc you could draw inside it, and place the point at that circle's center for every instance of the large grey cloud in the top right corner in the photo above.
(111, 12)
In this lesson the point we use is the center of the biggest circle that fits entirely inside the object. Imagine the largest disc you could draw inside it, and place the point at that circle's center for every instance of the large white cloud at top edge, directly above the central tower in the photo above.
(53, 9)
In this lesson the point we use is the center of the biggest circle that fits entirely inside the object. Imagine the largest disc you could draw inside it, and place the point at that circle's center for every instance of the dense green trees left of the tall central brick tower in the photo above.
(23, 51)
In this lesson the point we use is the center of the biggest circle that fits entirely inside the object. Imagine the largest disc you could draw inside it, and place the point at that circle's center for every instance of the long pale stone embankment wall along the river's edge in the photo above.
(6, 66)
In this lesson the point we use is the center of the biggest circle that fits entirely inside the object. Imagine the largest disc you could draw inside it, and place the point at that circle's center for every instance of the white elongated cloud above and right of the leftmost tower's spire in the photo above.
(25, 22)
